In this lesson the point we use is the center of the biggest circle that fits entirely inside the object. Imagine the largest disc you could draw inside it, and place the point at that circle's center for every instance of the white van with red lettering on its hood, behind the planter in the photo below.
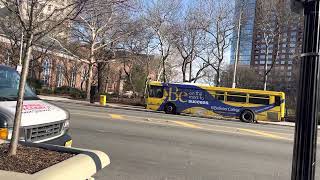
(41, 121)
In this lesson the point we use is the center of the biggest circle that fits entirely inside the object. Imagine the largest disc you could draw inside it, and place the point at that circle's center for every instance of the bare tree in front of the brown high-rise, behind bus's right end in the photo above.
(272, 18)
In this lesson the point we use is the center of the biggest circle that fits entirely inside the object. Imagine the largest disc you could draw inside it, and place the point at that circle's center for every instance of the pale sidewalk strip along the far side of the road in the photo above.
(129, 107)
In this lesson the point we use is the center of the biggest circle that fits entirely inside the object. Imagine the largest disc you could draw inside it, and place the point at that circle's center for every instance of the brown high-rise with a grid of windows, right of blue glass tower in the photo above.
(284, 34)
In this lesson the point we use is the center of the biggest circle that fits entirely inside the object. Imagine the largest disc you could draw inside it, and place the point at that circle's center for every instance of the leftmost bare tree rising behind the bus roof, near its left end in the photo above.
(160, 16)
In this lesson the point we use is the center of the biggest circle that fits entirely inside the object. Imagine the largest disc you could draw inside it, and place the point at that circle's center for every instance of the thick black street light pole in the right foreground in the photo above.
(305, 141)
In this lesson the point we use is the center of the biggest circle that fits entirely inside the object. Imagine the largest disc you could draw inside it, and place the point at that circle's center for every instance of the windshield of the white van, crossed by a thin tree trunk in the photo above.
(9, 85)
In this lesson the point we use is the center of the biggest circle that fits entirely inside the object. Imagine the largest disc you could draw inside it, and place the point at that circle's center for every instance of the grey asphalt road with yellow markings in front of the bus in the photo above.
(155, 146)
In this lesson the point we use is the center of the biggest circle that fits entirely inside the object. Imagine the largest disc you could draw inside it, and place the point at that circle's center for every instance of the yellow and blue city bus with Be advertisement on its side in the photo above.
(209, 101)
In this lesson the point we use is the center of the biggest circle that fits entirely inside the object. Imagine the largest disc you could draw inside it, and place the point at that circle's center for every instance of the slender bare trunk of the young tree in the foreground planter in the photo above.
(19, 105)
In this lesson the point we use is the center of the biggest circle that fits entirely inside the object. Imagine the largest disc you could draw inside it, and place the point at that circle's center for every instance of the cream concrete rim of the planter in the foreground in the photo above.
(82, 166)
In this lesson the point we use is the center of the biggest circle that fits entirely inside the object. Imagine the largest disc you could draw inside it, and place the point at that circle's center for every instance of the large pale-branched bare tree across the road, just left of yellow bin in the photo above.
(98, 28)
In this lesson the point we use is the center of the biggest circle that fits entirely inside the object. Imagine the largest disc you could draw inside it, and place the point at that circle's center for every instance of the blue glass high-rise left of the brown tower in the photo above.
(247, 8)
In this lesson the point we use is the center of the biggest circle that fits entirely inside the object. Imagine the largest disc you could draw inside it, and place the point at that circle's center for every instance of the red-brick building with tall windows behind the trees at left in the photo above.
(55, 68)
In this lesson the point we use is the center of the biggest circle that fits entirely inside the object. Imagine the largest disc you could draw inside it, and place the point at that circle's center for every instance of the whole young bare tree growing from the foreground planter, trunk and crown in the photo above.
(36, 21)
